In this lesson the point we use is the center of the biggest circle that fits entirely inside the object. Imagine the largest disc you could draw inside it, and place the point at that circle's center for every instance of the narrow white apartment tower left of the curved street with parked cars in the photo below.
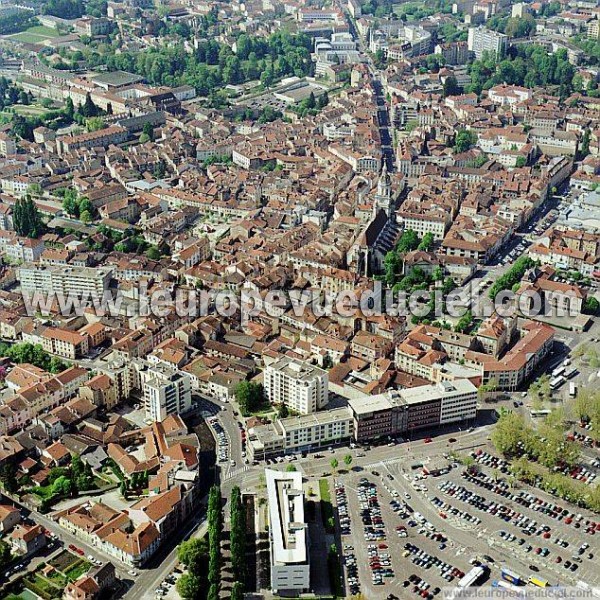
(166, 392)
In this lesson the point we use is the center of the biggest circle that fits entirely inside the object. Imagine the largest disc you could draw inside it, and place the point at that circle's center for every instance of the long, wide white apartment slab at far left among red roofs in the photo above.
(65, 280)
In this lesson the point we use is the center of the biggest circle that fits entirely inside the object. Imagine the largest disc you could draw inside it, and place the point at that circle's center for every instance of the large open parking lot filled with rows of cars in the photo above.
(409, 534)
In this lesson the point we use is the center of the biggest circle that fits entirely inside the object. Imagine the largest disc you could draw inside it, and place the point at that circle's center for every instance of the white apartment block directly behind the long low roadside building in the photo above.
(300, 386)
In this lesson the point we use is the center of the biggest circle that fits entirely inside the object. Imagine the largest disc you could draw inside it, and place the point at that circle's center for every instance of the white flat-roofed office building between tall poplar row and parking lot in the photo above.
(288, 531)
